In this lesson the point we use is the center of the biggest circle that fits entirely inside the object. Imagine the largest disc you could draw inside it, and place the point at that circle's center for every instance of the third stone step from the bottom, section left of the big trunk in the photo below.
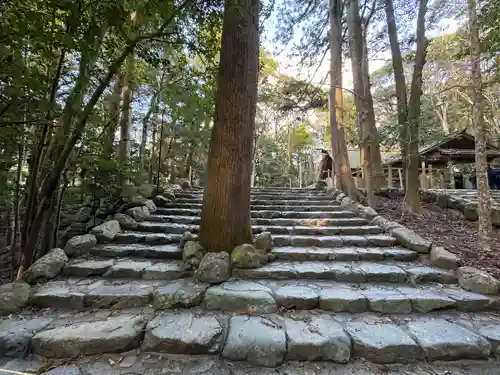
(126, 269)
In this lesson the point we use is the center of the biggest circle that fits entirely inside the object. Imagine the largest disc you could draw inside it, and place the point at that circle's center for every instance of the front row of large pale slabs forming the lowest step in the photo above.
(285, 337)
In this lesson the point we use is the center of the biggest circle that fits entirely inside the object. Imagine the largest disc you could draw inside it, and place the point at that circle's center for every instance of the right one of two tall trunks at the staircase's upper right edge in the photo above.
(356, 52)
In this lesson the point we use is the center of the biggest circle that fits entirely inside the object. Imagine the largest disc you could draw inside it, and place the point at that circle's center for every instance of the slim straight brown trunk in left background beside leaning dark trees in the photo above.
(126, 115)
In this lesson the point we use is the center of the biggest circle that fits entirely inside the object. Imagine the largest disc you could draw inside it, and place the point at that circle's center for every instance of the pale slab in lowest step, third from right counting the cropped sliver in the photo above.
(383, 343)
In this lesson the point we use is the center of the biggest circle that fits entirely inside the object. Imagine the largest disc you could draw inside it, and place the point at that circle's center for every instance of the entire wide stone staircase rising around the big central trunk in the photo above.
(339, 290)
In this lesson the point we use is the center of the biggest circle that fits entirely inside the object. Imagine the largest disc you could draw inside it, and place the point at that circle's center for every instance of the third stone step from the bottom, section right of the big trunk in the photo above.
(356, 272)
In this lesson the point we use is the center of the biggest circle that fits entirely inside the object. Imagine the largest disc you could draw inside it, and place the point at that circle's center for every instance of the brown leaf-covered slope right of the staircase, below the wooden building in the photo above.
(449, 229)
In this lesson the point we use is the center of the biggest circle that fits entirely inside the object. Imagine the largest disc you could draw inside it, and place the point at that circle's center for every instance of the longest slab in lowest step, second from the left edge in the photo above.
(116, 334)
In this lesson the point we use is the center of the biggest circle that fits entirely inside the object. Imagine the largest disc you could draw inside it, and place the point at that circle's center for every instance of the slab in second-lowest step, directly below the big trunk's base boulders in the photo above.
(240, 296)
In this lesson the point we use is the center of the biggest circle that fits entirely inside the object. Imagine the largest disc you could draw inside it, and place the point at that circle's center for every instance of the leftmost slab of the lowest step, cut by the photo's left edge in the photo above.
(16, 334)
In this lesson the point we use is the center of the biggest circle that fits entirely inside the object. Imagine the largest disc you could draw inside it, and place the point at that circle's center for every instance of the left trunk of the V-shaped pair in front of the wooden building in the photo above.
(399, 78)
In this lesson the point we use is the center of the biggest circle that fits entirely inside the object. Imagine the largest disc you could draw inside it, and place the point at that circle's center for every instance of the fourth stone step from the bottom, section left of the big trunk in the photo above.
(138, 251)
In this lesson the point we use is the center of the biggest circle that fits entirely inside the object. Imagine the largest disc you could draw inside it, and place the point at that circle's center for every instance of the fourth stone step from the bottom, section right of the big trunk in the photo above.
(344, 254)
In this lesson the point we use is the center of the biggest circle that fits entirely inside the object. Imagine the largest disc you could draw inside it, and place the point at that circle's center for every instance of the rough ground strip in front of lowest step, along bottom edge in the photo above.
(155, 363)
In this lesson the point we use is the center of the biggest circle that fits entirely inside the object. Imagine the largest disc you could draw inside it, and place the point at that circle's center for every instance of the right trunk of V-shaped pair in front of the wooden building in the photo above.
(412, 197)
